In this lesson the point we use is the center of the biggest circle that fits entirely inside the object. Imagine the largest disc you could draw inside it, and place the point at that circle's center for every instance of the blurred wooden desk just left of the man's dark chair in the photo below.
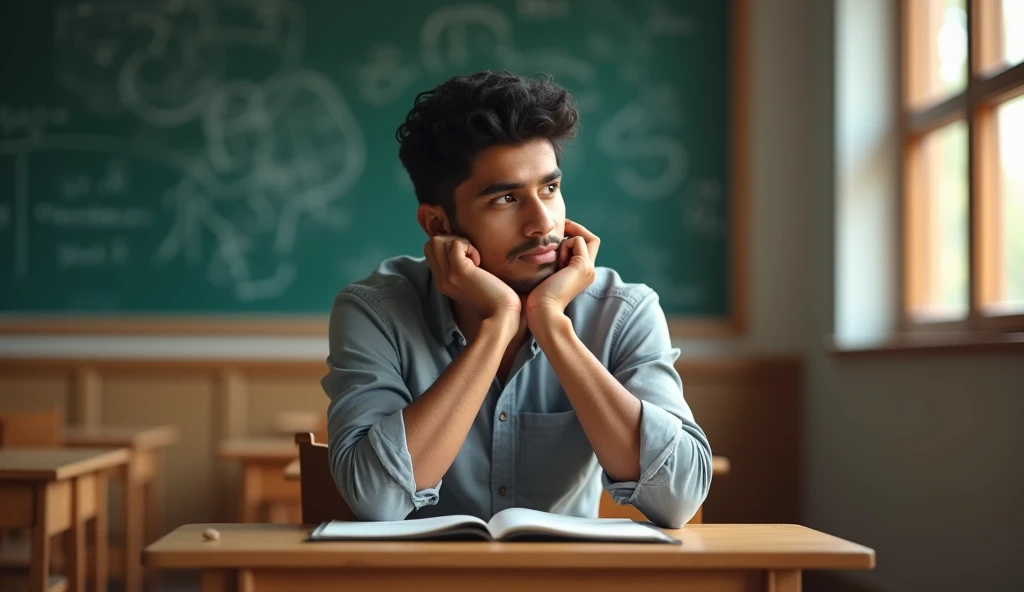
(264, 462)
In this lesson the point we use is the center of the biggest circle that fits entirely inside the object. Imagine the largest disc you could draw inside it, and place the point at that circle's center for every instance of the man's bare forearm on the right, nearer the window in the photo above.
(610, 414)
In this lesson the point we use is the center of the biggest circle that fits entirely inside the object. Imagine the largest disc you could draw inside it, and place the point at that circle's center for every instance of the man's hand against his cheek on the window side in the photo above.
(578, 251)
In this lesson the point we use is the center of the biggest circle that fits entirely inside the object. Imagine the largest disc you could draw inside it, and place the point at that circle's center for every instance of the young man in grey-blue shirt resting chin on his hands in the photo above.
(504, 369)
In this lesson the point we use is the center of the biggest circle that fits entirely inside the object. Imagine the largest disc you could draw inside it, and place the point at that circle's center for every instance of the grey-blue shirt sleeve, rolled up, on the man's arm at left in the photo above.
(369, 456)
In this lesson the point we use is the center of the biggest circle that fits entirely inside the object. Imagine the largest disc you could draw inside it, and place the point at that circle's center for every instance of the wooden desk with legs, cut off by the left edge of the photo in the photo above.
(52, 491)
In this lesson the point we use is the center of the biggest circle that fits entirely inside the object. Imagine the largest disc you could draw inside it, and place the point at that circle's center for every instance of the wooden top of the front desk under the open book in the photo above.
(705, 546)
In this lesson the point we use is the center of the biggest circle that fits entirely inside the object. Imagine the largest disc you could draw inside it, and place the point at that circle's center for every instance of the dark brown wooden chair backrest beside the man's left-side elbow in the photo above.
(320, 496)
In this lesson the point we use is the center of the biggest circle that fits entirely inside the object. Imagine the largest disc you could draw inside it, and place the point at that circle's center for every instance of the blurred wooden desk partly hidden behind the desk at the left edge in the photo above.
(143, 486)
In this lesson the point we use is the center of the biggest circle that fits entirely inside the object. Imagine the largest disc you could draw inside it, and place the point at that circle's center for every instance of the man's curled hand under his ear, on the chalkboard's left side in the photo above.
(456, 265)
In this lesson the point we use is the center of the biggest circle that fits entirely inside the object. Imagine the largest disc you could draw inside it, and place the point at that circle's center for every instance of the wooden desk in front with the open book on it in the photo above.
(719, 558)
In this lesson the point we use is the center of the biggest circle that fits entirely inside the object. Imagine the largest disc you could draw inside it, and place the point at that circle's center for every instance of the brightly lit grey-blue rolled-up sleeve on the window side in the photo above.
(675, 456)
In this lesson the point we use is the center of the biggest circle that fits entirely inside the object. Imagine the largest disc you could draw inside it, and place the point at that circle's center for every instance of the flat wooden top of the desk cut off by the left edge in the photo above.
(55, 464)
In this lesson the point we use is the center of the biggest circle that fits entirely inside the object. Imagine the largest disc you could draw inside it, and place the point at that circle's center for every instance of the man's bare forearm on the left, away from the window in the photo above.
(438, 422)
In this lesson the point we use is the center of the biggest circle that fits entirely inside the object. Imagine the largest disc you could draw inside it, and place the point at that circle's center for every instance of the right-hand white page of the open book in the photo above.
(523, 521)
